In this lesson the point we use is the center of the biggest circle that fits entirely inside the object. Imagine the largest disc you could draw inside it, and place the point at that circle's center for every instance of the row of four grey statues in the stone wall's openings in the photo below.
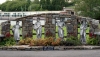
(38, 28)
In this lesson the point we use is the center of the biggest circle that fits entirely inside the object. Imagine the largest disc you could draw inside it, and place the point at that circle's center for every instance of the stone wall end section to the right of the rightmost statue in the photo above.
(94, 28)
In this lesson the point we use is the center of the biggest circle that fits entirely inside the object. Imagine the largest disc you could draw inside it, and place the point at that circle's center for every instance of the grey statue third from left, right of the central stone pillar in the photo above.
(60, 28)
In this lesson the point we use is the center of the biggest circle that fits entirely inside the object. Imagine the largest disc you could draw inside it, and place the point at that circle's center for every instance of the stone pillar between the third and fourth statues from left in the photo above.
(71, 26)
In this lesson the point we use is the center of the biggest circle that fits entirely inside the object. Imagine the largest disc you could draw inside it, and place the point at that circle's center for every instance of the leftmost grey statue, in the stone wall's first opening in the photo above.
(16, 31)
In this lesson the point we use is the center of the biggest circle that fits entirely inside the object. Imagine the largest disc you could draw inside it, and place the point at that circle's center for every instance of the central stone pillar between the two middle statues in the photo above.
(50, 28)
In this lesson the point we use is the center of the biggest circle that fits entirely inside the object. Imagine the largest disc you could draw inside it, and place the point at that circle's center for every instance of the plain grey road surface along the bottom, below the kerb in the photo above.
(67, 53)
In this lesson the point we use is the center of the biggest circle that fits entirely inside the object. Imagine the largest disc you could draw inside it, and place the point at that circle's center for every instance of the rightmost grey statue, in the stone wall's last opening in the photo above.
(83, 28)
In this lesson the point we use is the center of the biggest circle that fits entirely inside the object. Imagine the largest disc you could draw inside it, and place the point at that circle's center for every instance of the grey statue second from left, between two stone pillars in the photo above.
(38, 28)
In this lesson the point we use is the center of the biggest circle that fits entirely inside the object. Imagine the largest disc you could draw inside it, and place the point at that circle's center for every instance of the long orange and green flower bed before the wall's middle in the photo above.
(50, 41)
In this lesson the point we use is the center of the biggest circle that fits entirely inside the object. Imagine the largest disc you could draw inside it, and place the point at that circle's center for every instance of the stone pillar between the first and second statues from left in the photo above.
(27, 28)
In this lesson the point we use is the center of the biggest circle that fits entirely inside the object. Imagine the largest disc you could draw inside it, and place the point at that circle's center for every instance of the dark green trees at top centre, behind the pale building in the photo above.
(54, 4)
